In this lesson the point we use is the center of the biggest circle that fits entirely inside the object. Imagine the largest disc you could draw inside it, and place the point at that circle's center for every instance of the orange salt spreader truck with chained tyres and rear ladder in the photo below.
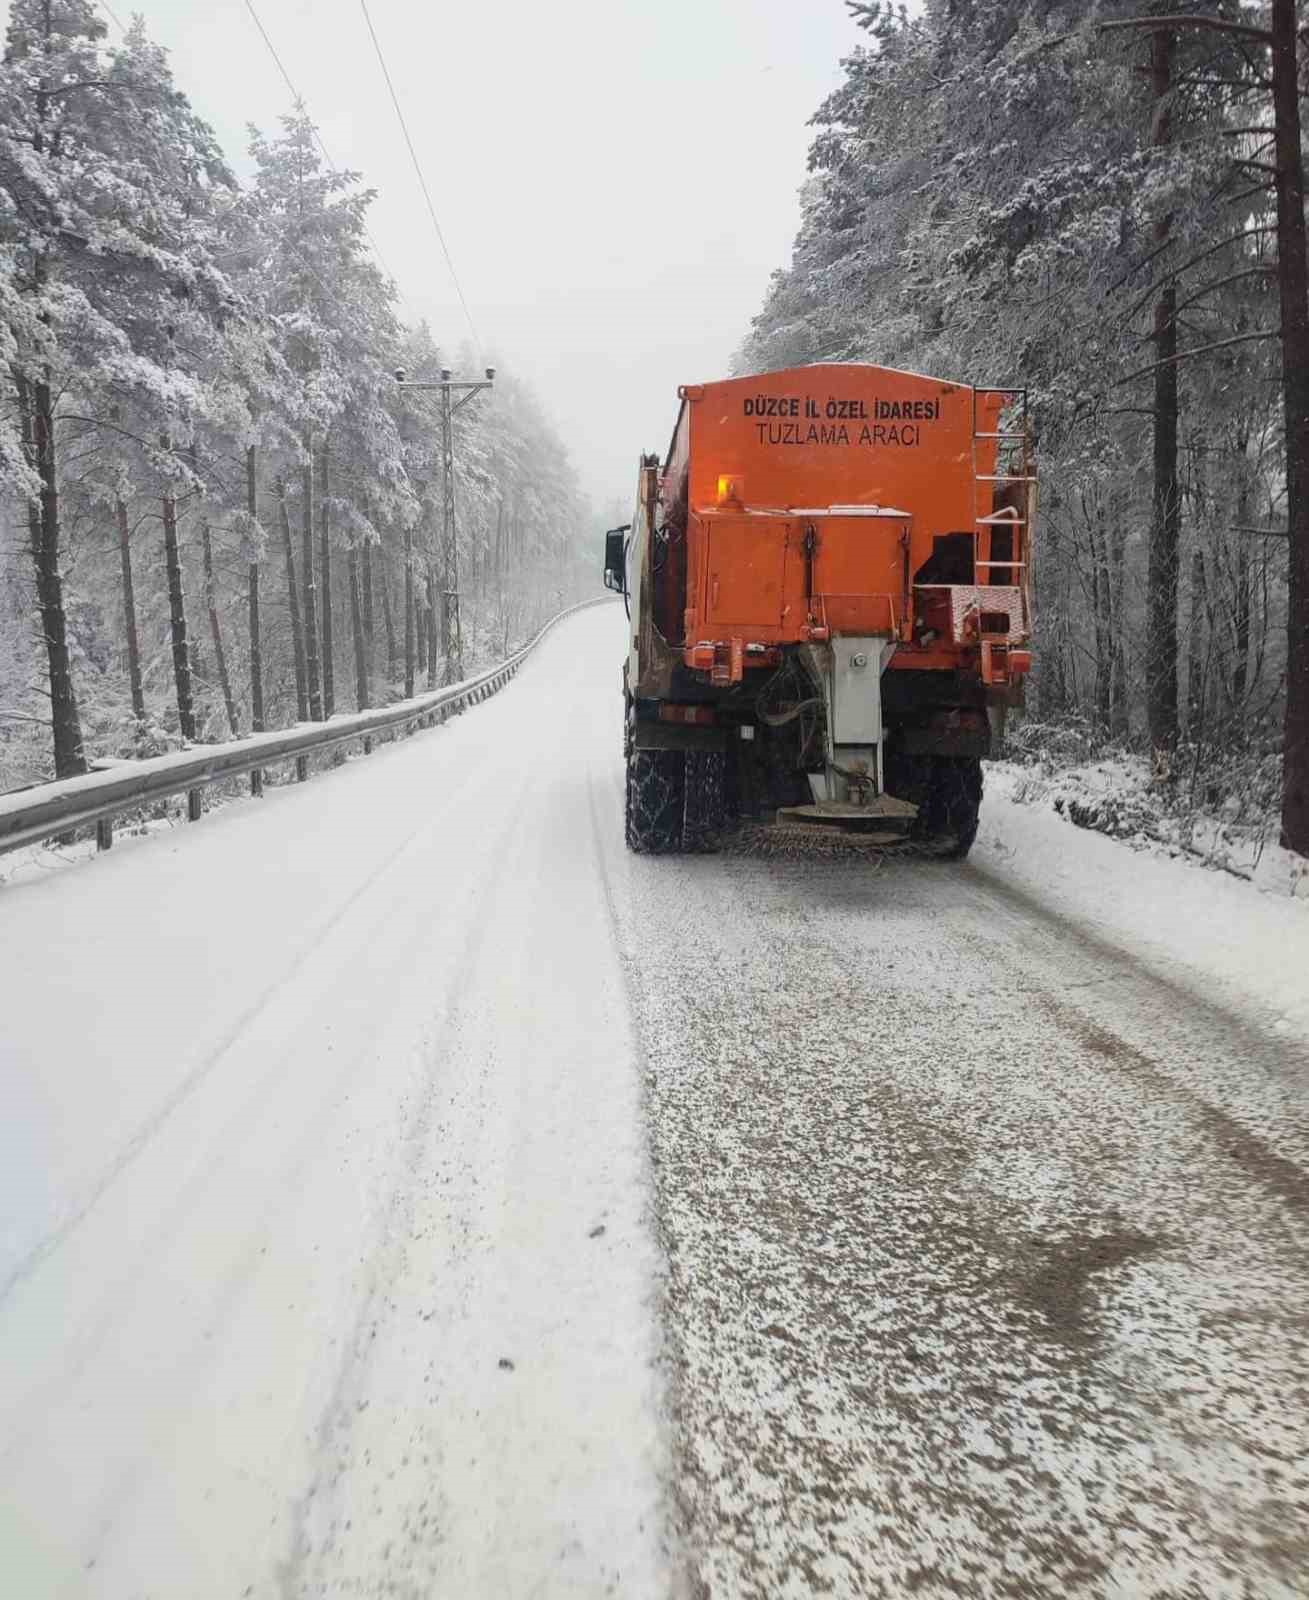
(830, 607)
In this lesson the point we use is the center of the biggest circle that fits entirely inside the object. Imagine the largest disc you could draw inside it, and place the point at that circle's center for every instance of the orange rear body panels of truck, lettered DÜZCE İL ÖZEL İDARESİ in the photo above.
(799, 444)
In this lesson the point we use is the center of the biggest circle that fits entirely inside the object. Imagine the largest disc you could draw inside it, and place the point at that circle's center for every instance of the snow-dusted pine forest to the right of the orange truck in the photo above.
(1089, 201)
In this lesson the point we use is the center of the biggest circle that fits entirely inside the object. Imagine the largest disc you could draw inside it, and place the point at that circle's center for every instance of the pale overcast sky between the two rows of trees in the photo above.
(615, 178)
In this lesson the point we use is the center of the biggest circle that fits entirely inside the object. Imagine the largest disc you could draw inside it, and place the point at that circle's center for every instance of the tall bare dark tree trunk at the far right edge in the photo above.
(1294, 284)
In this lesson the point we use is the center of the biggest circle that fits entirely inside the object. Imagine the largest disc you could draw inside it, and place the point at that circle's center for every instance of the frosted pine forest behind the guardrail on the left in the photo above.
(222, 511)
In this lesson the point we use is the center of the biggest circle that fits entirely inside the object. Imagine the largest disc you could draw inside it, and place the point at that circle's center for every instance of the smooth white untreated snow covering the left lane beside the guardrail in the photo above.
(324, 1249)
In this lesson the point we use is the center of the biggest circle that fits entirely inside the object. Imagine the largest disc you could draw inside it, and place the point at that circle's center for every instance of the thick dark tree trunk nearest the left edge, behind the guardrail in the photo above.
(38, 415)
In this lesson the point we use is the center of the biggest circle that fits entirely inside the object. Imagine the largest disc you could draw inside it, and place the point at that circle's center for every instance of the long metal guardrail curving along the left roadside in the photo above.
(58, 809)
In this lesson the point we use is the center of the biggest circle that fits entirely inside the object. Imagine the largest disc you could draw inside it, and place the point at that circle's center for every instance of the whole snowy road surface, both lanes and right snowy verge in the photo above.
(407, 1193)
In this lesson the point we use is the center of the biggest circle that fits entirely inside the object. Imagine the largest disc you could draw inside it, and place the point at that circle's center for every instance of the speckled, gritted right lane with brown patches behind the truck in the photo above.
(987, 1249)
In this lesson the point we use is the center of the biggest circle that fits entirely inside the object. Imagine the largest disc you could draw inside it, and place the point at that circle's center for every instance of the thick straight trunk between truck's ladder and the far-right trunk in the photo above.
(1166, 526)
